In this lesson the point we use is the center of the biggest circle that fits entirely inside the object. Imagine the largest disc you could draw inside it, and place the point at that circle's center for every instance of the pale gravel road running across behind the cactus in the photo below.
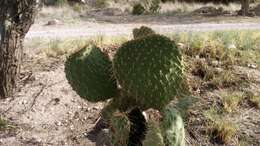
(93, 29)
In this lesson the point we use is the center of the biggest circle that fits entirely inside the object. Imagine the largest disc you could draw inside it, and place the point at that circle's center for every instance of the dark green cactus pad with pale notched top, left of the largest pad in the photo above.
(89, 72)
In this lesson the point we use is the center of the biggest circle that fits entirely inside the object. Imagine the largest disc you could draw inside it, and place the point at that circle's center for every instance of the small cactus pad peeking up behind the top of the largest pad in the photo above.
(143, 31)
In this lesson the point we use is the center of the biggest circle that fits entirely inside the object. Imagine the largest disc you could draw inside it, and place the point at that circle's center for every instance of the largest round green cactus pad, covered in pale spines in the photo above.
(149, 69)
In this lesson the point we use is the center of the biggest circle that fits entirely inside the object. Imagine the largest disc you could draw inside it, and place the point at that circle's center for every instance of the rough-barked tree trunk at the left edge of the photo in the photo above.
(16, 17)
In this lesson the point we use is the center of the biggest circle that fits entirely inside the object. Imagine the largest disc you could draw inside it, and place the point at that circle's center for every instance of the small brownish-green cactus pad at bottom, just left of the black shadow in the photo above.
(120, 129)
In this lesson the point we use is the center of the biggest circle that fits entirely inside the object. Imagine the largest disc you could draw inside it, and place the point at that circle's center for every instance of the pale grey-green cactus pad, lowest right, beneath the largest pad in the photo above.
(172, 127)
